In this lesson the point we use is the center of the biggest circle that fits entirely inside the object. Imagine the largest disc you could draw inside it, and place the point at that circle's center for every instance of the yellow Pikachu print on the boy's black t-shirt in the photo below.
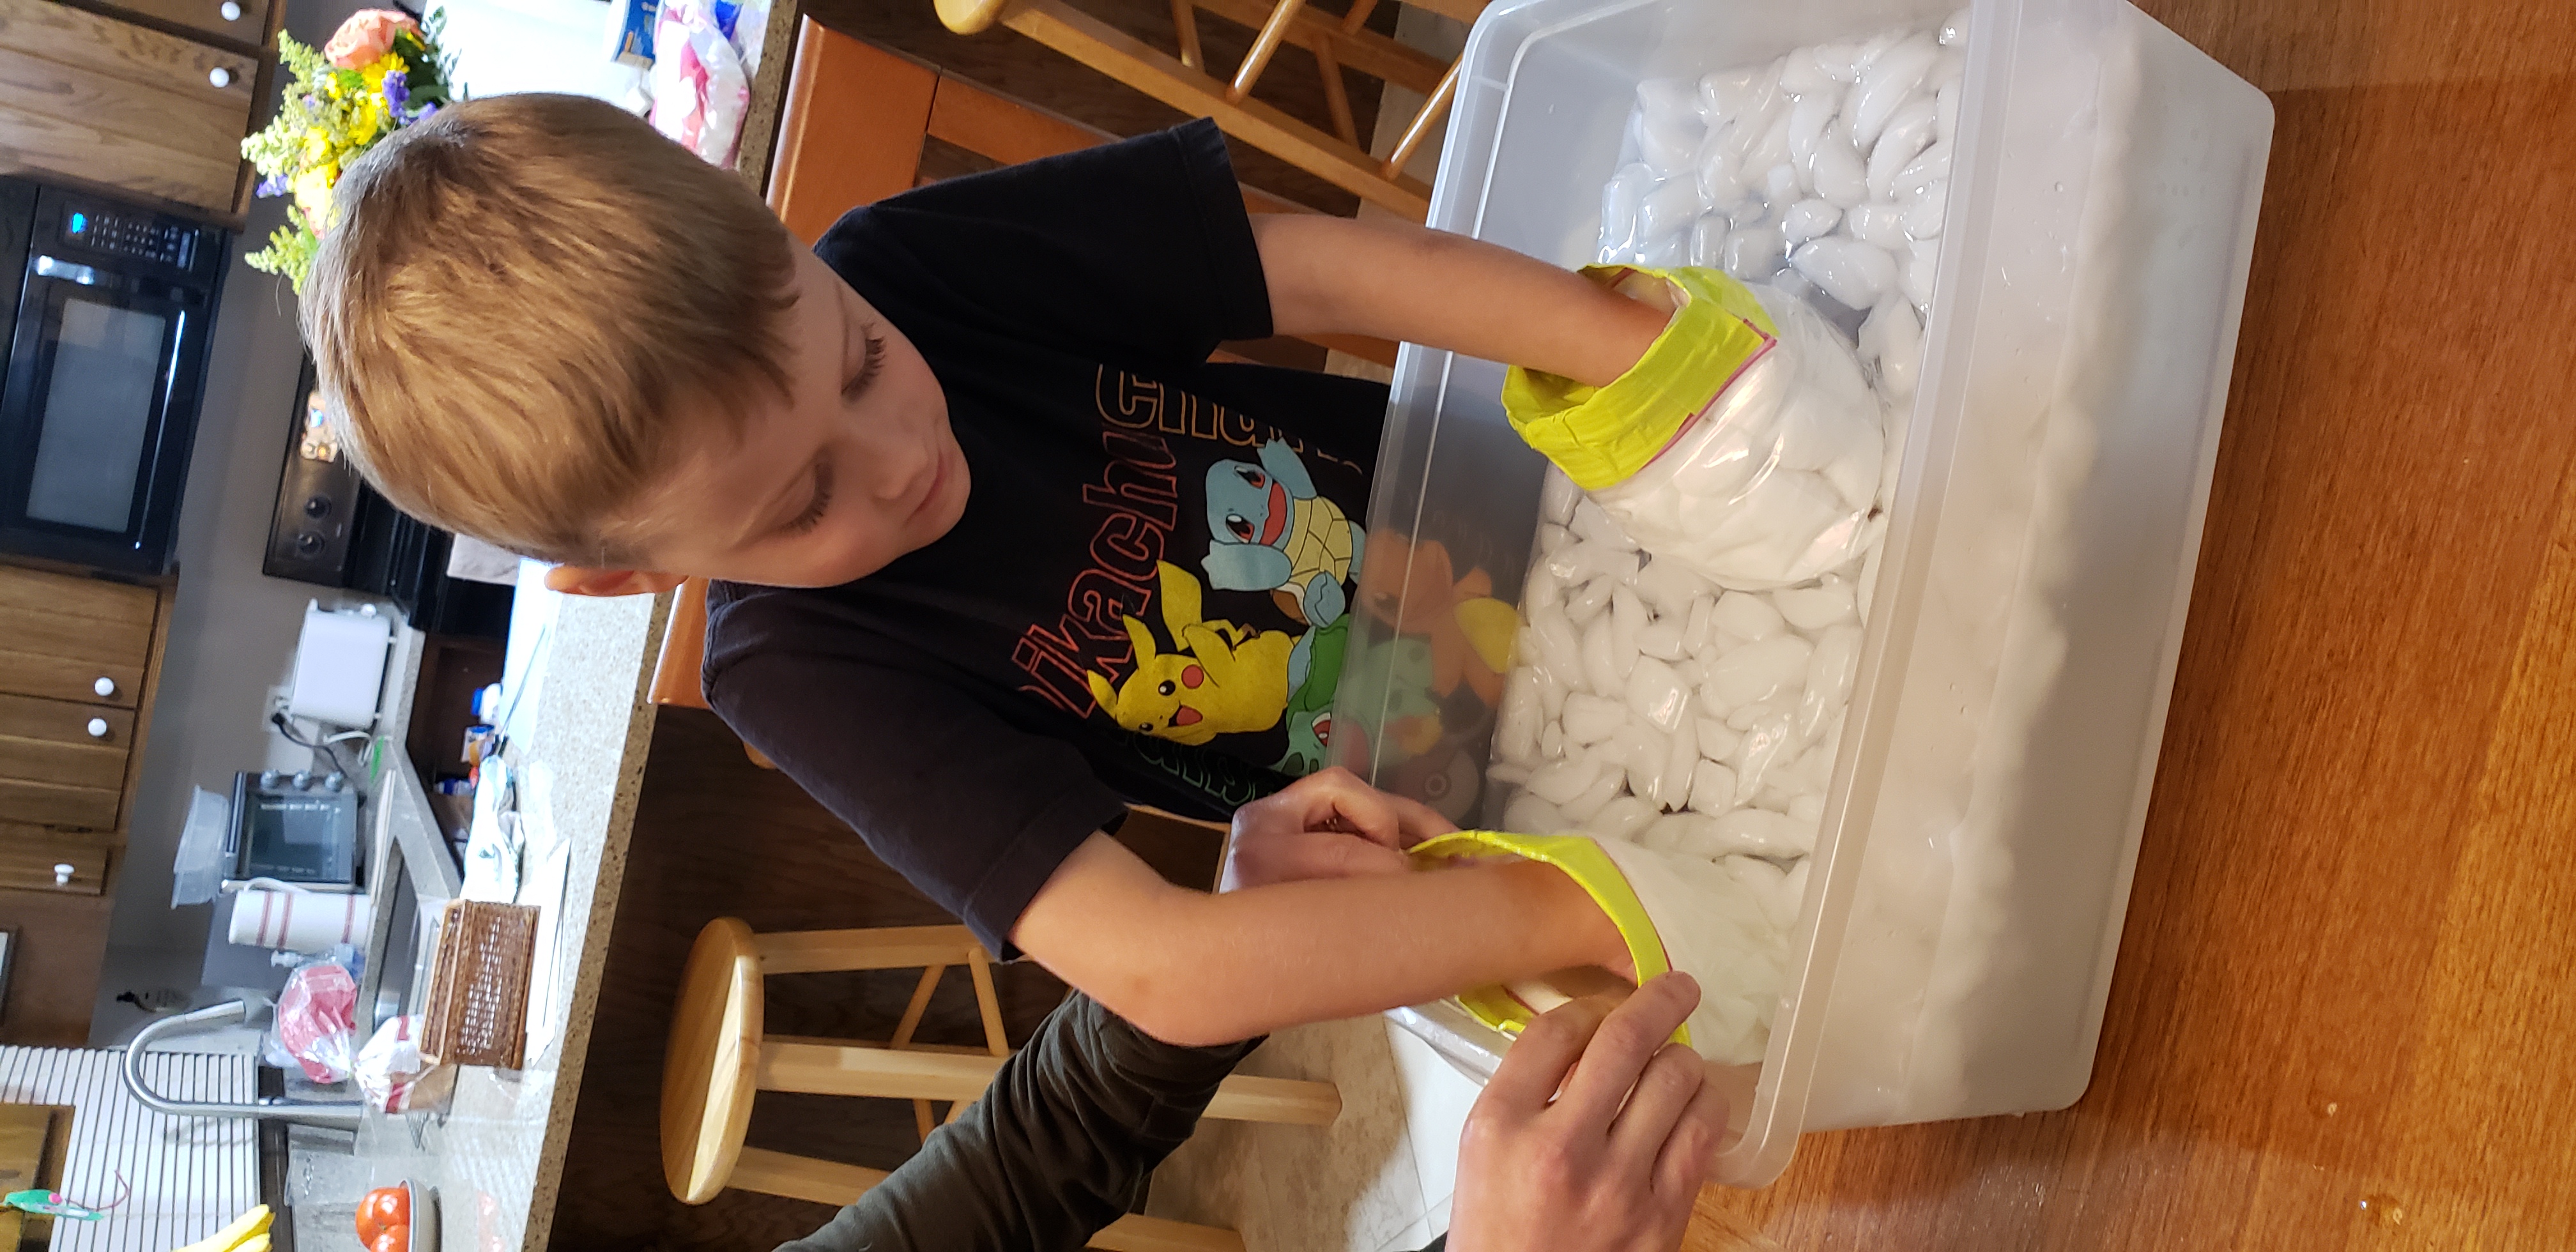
(1220, 679)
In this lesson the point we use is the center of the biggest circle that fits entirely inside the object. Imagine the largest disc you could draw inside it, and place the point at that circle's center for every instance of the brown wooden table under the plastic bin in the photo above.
(2343, 1011)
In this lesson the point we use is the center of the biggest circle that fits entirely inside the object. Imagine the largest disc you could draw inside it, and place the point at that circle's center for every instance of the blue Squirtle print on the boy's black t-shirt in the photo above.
(1271, 532)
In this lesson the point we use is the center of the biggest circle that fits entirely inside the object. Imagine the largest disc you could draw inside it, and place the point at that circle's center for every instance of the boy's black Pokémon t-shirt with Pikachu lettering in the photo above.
(1148, 596)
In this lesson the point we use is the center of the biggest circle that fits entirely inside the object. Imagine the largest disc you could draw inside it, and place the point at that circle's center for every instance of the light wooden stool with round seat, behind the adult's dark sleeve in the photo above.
(720, 1058)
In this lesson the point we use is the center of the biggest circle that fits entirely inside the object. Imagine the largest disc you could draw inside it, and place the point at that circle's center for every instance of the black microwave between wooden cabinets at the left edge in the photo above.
(104, 310)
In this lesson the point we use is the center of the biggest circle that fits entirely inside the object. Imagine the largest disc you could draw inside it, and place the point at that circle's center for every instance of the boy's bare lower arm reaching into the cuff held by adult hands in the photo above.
(1207, 970)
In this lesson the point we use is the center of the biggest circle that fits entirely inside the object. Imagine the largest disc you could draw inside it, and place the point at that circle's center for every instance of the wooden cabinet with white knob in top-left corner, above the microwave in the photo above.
(130, 107)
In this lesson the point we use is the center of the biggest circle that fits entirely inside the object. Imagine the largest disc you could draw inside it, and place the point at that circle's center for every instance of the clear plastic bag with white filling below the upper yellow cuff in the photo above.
(1779, 478)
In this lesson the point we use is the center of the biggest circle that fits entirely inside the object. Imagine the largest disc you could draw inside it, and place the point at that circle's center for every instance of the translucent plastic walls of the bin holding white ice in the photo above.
(1967, 895)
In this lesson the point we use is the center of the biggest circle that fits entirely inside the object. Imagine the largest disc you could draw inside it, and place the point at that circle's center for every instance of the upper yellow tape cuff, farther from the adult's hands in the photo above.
(1606, 434)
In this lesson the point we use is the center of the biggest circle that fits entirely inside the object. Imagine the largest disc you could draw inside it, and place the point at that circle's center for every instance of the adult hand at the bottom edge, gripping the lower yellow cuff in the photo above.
(1596, 1132)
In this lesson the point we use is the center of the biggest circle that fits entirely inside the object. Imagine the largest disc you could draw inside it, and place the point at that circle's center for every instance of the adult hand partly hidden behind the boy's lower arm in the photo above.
(1325, 826)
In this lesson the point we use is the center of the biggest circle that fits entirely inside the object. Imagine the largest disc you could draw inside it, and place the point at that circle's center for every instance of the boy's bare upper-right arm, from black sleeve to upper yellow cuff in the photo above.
(1403, 282)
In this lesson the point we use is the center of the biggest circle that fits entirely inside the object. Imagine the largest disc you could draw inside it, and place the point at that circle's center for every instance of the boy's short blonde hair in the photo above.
(516, 303)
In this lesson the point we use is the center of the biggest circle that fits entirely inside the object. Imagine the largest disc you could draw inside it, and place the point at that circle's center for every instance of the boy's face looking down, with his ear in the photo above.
(849, 473)
